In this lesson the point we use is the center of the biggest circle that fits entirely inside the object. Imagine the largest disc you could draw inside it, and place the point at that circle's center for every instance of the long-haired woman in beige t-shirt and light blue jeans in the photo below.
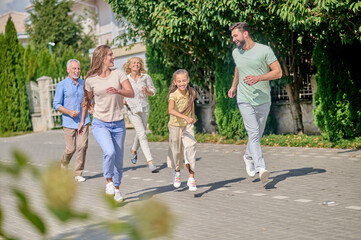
(106, 88)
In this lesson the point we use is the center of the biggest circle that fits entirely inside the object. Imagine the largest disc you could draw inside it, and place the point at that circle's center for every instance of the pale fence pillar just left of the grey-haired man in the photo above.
(45, 102)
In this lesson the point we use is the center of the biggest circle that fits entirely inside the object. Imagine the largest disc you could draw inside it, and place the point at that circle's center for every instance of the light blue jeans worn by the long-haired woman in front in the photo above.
(110, 136)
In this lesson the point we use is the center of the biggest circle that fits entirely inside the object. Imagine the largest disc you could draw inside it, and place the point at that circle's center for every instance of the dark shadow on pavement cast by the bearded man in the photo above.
(291, 173)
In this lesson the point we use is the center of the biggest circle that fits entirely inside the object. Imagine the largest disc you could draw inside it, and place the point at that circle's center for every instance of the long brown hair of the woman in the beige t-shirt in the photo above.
(96, 68)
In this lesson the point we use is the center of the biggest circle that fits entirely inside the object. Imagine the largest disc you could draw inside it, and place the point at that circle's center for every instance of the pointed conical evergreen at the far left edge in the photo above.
(14, 105)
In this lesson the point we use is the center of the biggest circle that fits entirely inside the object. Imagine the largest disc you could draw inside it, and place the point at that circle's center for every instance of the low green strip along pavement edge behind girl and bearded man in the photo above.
(273, 140)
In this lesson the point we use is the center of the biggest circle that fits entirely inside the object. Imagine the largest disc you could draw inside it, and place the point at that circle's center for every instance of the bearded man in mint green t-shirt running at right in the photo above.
(256, 65)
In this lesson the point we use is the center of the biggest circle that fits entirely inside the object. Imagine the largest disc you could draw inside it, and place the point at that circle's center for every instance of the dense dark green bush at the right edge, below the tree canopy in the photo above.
(338, 102)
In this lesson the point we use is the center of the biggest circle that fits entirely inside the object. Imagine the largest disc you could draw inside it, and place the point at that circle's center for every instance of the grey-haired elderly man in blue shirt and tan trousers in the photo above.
(68, 98)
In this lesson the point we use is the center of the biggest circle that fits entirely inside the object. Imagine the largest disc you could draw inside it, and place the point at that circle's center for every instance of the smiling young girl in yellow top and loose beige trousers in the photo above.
(182, 143)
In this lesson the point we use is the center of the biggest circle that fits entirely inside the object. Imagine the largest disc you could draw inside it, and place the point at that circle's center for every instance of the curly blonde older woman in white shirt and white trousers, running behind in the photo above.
(138, 107)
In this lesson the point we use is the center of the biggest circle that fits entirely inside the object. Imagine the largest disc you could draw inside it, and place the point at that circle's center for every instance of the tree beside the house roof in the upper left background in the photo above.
(52, 21)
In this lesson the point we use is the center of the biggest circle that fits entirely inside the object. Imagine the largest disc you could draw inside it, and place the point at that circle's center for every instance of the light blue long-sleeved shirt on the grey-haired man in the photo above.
(70, 96)
